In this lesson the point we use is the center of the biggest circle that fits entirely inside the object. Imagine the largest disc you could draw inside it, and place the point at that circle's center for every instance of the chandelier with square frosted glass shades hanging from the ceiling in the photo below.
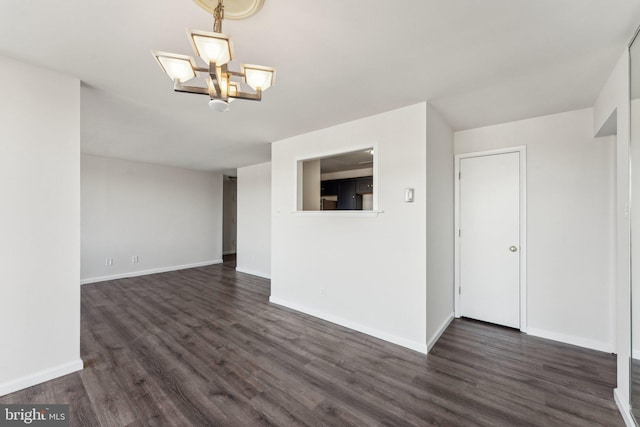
(222, 84)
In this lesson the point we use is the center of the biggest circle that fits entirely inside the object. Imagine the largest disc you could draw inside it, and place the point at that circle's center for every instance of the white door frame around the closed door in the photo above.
(522, 150)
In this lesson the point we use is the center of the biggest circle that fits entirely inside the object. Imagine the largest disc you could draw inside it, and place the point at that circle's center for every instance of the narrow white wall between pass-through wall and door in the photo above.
(440, 225)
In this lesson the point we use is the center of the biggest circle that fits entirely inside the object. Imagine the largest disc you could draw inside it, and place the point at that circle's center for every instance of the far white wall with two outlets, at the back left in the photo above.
(169, 217)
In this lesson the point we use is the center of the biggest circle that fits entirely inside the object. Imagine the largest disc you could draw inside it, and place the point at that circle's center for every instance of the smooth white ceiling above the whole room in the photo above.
(478, 62)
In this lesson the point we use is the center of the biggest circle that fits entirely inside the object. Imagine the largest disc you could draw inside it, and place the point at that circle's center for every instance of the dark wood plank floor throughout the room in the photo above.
(204, 347)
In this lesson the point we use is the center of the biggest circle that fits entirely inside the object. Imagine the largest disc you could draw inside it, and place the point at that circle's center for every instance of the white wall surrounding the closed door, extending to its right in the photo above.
(569, 288)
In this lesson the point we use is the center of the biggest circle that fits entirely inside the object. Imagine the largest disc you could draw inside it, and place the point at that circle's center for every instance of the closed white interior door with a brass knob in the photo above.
(489, 238)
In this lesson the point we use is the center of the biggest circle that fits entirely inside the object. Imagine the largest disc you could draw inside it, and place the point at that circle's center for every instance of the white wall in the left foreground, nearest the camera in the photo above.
(39, 225)
